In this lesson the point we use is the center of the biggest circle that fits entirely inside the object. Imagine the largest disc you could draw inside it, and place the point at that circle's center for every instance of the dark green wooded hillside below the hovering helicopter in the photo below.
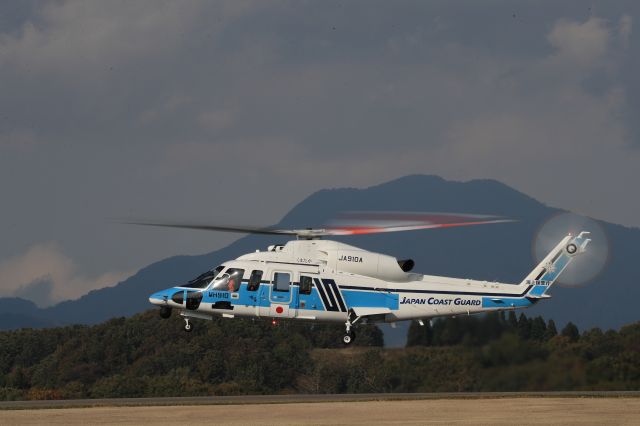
(146, 356)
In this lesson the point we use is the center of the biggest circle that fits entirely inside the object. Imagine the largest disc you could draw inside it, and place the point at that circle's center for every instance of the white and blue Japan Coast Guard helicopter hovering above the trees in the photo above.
(313, 279)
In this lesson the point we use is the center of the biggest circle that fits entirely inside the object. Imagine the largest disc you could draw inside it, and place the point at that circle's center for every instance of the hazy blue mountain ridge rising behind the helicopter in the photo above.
(493, 252)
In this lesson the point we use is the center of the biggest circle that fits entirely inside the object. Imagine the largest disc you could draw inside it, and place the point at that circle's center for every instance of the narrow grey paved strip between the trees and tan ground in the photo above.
(301, 398)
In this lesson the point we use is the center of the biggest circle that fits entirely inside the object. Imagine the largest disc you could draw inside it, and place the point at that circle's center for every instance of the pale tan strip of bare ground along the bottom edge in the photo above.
(620, 410)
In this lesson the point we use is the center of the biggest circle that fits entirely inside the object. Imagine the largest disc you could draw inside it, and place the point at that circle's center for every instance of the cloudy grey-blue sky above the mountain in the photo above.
(194, 110)
